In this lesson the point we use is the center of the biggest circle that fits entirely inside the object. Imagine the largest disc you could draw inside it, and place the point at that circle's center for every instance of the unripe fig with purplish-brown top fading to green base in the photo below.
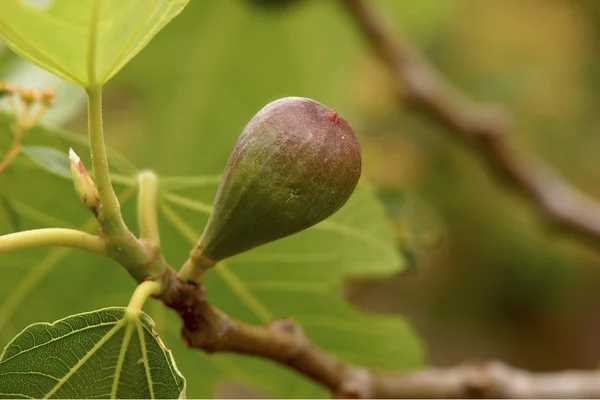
(296, 163)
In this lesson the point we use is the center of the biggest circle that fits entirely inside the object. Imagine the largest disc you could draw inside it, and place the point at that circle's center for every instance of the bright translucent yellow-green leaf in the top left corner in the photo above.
(85, 42)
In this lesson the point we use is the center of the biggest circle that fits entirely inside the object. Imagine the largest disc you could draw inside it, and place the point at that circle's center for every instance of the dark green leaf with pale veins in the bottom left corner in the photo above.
(111, 352)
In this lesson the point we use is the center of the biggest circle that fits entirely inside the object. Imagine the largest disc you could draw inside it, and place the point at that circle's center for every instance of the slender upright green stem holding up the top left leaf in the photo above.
(111, 221)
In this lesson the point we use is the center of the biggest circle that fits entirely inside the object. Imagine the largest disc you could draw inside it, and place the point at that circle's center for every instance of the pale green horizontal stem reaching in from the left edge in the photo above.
(53, 237)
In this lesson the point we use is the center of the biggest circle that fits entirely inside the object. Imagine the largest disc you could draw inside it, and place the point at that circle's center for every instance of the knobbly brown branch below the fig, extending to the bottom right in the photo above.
(284, 342)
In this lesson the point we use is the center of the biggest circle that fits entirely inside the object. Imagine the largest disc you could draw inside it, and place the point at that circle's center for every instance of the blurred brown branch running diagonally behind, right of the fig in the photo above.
(483, 128)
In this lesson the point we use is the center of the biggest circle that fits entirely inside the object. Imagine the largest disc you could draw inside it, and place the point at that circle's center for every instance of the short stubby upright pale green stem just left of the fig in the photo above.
(148, 208)
